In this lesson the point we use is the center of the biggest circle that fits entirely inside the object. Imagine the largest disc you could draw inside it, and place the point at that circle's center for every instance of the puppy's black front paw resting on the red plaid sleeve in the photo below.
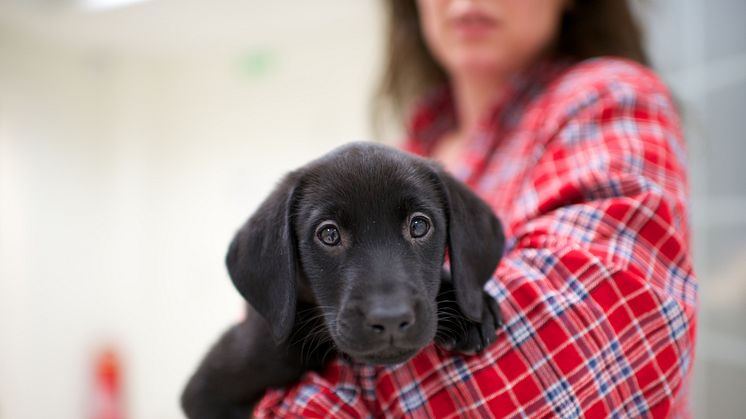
(458, 333)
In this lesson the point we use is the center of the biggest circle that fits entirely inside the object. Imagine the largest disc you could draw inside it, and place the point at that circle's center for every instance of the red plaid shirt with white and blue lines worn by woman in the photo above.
(585, 166)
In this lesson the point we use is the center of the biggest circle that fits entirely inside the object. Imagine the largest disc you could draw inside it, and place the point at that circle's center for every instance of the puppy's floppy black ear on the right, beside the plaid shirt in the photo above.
(475, 242)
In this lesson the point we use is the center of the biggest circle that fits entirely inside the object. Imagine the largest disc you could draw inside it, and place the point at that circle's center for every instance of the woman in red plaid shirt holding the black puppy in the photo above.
(546, 109)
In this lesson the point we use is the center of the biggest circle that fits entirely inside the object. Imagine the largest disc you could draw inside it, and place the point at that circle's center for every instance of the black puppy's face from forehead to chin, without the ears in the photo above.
(371, 237)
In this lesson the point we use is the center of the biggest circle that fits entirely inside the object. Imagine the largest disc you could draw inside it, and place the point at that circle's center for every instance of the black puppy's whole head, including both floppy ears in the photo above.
(362, 234)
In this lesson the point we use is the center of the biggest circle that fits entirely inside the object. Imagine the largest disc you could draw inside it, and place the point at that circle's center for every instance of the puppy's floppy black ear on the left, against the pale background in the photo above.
(262, 260)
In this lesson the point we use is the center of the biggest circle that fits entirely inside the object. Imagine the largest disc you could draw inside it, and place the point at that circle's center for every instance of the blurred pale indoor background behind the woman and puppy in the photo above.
(136, 136)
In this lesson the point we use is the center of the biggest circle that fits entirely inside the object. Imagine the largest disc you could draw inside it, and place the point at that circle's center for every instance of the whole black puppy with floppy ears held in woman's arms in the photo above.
(345, 258)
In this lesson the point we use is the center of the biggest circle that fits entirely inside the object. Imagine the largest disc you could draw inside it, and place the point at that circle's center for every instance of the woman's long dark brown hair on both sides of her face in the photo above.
(589, 28)
